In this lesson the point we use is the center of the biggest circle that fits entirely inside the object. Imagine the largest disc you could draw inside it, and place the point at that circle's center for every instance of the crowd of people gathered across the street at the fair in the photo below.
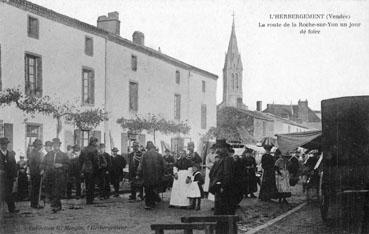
(227, 179)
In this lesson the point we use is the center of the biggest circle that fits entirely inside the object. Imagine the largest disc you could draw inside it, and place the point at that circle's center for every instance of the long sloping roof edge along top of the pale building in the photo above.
(72, 22)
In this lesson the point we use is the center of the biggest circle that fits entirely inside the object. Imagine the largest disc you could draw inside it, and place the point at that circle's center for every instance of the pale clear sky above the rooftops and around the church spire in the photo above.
(280, 65)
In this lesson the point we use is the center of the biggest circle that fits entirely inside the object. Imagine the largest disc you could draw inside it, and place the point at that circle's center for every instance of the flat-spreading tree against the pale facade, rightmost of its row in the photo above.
(153, 124)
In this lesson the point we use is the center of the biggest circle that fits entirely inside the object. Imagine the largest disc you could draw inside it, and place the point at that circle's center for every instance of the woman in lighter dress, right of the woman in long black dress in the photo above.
(282, 177)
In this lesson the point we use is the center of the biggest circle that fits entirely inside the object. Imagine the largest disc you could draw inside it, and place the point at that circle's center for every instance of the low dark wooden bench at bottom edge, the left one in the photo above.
(188, 228)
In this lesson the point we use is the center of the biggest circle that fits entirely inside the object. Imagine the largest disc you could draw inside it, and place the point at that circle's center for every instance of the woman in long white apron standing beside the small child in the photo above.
(178, 196)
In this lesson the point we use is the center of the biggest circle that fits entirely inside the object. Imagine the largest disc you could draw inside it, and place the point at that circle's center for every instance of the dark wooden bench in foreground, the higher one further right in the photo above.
(226, 224)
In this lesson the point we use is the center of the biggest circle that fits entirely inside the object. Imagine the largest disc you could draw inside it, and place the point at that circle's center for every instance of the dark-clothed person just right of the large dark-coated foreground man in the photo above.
(249, 163)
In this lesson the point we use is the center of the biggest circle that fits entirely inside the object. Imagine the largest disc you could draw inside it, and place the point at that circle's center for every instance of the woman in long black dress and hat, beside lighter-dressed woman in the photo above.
(268, 189)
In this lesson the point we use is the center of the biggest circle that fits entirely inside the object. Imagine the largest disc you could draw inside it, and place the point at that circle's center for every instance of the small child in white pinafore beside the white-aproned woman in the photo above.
(196, 191)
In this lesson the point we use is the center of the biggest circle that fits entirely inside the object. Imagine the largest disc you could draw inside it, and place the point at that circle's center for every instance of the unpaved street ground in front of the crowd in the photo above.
(117, 215)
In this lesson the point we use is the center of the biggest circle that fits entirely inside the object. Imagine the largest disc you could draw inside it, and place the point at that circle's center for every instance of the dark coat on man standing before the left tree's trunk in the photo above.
(55, 178)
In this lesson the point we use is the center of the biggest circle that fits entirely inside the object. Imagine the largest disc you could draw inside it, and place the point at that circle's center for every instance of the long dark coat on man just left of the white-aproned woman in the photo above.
(151, 169)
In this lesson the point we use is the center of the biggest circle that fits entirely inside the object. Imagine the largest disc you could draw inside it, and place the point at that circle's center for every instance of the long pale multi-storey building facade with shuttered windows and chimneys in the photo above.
(51, 54)
